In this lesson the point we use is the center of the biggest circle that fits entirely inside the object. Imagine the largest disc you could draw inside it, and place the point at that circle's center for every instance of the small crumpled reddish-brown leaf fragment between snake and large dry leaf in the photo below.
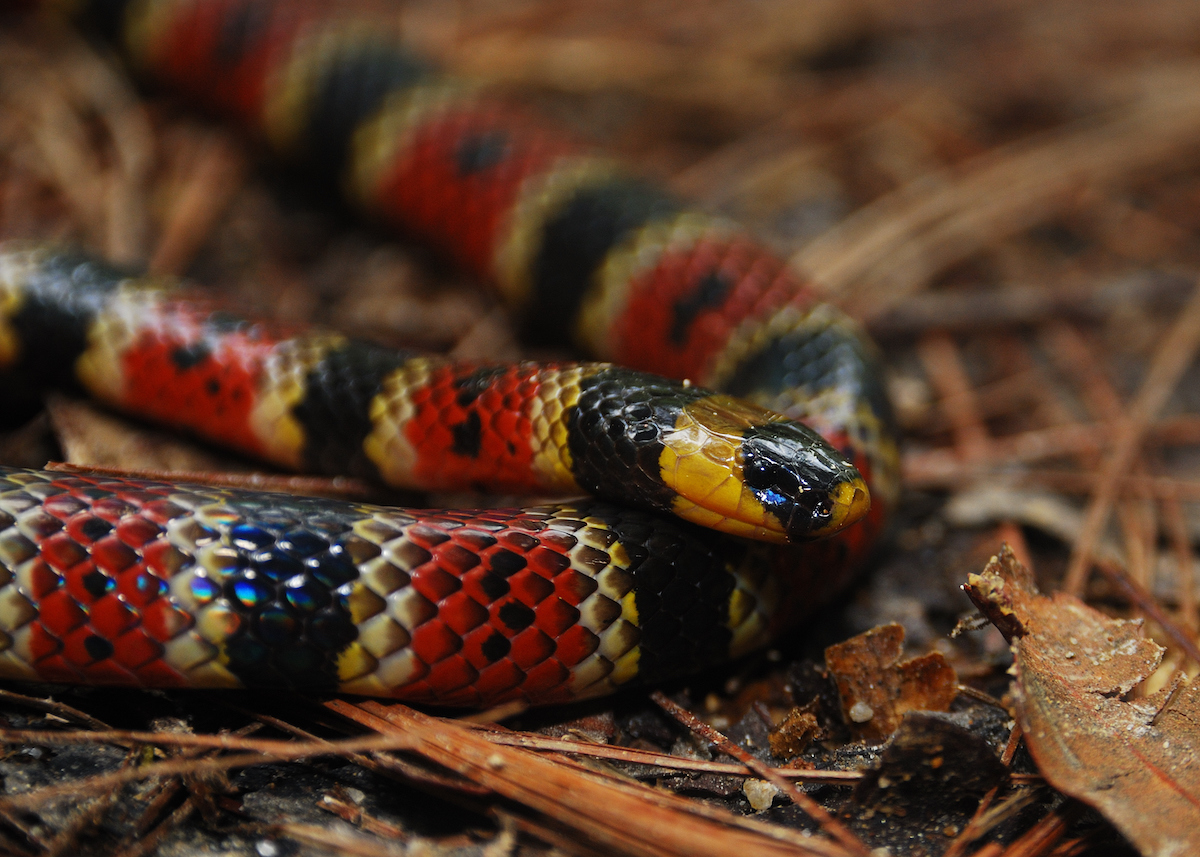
(877, 688)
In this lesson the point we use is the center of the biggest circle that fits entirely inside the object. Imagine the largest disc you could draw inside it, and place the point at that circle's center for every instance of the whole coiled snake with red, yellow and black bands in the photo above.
(730, 417)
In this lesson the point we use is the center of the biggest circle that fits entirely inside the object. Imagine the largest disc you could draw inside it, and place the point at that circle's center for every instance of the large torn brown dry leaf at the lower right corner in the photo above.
(1133, 760)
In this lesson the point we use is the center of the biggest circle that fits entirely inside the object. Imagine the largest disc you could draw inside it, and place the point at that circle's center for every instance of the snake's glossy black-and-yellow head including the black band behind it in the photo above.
(711, 459)
